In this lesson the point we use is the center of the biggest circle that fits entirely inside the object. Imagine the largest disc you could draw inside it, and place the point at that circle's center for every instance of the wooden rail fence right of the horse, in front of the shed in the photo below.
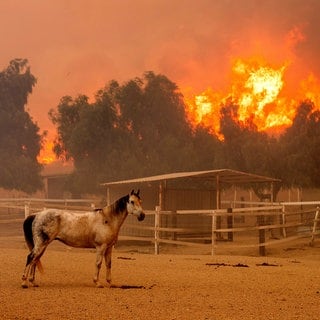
(281, 225)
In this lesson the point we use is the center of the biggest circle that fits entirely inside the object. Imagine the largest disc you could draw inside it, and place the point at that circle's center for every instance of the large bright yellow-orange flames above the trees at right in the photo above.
(257, 91)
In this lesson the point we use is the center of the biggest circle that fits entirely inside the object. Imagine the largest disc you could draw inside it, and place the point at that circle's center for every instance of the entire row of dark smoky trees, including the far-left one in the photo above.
(140, 128)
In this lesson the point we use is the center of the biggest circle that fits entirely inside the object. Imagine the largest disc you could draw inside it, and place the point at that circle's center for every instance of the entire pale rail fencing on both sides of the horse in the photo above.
(253, 226)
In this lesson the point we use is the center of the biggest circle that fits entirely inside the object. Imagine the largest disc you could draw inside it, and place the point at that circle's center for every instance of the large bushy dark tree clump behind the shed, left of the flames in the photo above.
(131, 130)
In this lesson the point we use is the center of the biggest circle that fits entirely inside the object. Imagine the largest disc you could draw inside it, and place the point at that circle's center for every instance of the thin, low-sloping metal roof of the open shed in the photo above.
(224, 175)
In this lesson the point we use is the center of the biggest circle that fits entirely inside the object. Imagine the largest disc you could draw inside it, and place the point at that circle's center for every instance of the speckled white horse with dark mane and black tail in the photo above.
(95, 229)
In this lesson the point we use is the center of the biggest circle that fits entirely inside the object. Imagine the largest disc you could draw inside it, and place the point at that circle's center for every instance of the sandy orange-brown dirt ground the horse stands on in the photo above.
(168, 286)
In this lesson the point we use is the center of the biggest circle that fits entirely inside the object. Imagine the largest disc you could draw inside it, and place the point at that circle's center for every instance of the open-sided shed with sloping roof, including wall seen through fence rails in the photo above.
(184, 191)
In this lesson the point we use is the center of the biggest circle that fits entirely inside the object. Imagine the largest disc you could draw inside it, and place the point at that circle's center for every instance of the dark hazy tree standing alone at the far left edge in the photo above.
(20, 141)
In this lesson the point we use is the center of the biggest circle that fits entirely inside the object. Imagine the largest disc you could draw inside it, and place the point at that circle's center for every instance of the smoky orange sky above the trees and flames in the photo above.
(77, 46)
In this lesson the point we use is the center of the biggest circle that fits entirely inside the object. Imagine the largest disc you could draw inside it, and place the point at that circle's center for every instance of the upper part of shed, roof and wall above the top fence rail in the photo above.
(186, 190)
